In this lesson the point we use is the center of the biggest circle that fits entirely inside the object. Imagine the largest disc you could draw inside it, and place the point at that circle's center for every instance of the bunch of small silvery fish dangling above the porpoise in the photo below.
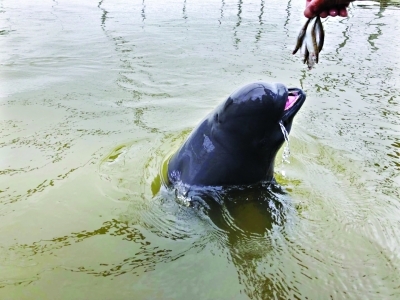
(311, 40)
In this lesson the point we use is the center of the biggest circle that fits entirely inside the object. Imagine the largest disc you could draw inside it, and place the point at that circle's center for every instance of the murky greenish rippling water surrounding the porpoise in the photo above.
(96, 95)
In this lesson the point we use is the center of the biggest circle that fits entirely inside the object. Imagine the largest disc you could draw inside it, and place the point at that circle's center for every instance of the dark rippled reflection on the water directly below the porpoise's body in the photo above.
(253, 220)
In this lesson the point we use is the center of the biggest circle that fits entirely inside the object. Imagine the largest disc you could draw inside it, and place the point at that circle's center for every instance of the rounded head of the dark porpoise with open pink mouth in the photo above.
(250, 117)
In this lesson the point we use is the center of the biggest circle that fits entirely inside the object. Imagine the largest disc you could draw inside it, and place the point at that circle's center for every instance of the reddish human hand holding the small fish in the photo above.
(326, 8)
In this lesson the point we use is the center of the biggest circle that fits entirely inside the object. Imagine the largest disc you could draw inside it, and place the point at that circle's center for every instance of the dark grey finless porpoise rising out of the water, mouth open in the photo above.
(237, 142)
